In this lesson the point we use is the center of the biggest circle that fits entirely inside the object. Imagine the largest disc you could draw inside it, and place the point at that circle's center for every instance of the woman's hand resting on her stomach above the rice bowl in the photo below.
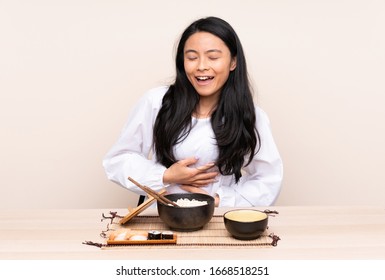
(181, 173)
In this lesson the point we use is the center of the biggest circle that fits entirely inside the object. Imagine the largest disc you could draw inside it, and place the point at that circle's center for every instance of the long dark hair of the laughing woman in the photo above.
(233, 120)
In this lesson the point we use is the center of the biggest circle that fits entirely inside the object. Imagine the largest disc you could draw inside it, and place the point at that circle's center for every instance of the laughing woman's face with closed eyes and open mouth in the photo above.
(207, 63)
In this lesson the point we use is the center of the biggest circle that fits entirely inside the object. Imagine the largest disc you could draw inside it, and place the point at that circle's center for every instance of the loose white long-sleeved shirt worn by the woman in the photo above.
(131, 156)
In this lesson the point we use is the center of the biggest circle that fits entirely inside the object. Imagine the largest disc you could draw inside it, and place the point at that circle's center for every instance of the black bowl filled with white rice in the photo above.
(195, 211)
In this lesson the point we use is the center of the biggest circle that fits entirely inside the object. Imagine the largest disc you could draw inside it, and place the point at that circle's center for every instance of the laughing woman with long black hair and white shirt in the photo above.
(201, 134)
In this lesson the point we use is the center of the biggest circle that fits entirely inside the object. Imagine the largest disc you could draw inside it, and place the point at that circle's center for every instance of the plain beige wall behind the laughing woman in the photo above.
(71, 70)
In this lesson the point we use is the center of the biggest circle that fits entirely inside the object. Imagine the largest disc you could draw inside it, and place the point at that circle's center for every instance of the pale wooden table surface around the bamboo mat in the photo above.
(306, 232)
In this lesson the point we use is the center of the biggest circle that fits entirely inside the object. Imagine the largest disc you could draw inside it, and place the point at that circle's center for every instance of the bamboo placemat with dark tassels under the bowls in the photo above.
(213, 234)
